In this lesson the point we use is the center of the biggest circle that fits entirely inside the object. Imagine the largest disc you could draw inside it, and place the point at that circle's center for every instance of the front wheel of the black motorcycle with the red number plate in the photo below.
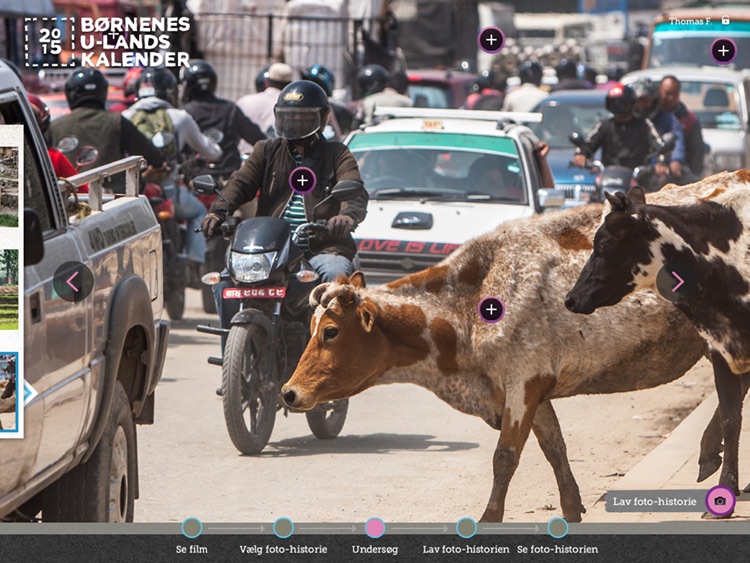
(249, 404)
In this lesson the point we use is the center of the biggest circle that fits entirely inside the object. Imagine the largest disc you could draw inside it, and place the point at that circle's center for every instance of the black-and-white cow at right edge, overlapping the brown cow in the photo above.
(707, 244)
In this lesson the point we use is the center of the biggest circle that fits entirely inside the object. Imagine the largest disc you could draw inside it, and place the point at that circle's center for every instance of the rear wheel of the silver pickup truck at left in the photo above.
(103, 488)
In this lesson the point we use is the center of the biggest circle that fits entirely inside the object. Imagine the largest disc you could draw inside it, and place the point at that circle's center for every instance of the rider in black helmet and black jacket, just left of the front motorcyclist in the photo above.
(198, 82)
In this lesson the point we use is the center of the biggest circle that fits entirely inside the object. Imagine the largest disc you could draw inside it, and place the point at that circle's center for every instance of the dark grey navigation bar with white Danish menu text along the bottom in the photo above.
(326, 548)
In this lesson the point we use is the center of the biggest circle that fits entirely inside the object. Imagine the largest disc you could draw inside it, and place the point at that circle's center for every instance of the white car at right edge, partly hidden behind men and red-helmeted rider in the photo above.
(720, 98)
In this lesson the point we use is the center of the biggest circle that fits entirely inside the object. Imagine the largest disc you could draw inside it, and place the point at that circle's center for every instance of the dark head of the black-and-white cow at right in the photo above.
(621, 256)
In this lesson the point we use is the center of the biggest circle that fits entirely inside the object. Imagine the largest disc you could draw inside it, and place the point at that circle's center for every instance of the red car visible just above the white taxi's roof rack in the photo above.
(439, 88)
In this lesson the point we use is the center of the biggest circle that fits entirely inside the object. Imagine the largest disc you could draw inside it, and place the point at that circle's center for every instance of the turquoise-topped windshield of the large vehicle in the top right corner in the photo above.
(683, 45)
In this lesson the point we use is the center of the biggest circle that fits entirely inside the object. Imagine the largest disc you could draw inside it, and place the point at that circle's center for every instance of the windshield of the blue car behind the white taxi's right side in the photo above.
(560, 120)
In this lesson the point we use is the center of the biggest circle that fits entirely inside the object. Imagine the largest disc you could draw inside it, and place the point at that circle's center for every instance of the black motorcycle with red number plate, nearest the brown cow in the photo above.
(267, 337)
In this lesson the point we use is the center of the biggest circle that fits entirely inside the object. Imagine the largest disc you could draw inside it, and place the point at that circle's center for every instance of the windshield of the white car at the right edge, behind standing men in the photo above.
(715, 103)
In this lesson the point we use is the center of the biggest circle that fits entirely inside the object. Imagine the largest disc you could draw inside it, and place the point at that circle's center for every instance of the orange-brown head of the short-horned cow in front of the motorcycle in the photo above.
(347, 349)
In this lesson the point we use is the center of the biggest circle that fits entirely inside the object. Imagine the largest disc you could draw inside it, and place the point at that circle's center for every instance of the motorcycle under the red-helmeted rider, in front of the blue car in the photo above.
(616, 178)
